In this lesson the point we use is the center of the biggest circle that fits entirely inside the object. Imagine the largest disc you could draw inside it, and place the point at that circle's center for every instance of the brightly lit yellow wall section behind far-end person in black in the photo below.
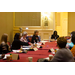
(61, 23)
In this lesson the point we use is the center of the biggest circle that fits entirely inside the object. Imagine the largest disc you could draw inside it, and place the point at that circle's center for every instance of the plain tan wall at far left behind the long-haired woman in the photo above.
(6, 24)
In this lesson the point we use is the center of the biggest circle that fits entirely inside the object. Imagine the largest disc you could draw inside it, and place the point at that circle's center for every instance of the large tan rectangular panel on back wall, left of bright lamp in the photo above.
(27, 18)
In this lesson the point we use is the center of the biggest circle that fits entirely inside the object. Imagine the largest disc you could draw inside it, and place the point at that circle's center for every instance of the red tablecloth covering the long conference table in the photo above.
(41, 53)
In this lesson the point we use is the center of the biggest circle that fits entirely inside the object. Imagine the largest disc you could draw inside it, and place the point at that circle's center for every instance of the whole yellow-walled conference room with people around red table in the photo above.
(37, 36)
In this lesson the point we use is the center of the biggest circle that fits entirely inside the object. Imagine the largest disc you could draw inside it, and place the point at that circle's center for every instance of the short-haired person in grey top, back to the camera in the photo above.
(63, 54)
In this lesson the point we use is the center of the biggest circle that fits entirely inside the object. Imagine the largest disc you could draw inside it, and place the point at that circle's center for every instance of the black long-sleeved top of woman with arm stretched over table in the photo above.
(17, 44)
